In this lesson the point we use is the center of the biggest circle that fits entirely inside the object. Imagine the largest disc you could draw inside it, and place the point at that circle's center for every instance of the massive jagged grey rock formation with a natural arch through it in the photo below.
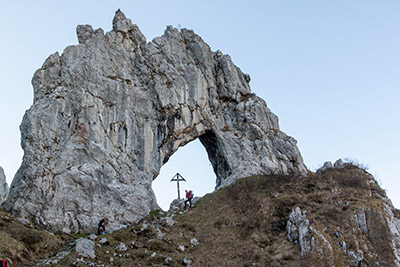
(110, 111)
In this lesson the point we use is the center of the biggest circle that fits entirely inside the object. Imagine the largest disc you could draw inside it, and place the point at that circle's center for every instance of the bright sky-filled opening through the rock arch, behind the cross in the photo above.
(192, 162)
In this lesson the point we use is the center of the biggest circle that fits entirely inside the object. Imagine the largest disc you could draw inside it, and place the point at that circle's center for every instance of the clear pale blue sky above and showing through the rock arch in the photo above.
(329, 69)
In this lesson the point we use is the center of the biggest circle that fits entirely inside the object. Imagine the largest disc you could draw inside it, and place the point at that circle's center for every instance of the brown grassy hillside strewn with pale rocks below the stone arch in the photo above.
(344, 220)
